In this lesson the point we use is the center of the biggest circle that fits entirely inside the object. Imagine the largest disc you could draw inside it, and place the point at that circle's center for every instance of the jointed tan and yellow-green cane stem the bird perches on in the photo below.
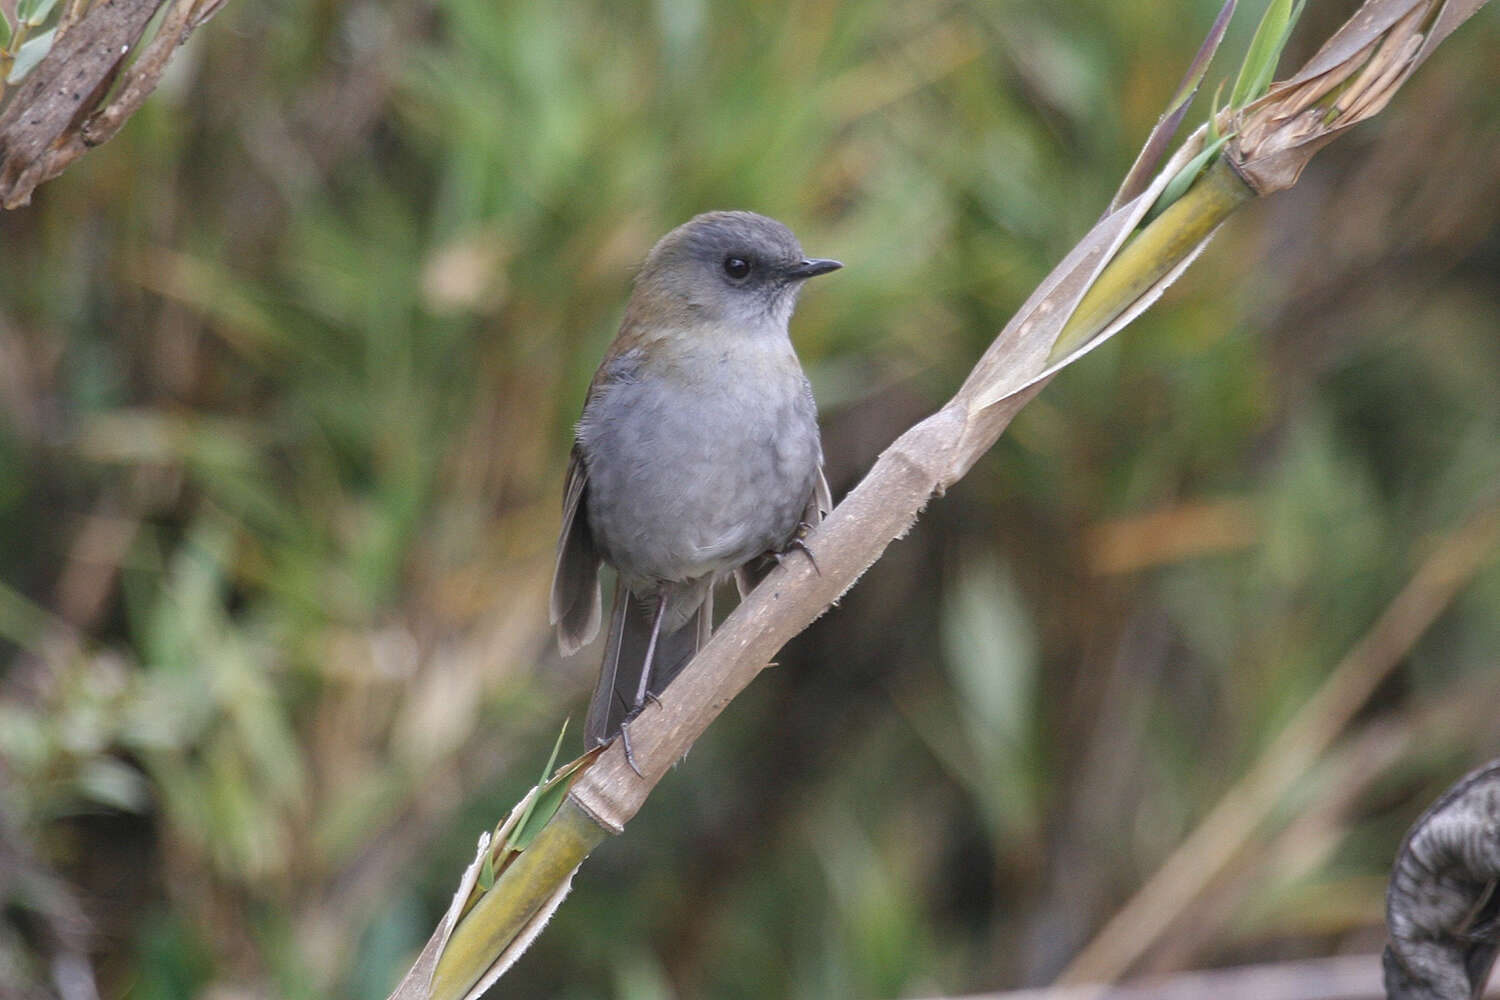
(1117, 272)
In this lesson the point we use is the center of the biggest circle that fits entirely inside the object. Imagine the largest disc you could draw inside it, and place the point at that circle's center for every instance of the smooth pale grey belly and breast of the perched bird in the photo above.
(680, 490)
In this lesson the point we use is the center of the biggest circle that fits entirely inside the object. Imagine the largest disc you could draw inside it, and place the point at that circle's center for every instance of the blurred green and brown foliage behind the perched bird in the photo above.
(287, 377)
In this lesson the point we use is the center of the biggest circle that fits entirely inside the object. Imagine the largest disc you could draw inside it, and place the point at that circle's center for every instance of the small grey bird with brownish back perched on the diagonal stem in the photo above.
(697, 457)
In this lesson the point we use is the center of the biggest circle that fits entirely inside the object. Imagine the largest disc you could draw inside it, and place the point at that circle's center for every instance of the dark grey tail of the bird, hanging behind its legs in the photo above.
(626, 657)
